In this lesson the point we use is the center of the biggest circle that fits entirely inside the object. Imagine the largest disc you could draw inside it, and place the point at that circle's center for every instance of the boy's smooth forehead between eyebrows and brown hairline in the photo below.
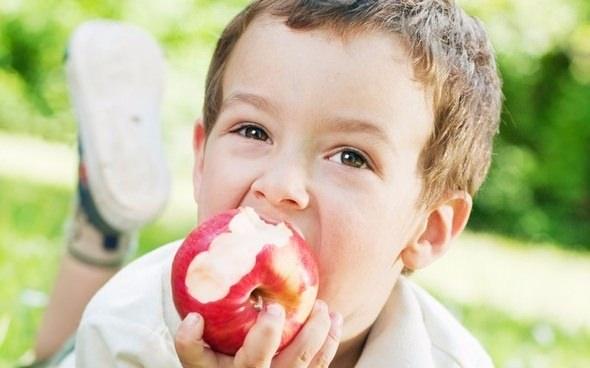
(366, 76)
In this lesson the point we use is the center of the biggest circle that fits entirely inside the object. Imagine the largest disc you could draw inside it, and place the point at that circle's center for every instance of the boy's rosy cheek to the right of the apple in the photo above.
(361, 238)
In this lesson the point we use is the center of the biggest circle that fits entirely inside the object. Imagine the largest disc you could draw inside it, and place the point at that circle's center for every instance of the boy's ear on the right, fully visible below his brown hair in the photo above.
(435, 235)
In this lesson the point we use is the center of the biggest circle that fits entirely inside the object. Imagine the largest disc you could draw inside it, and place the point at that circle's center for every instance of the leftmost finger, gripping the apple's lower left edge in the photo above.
(190, 346)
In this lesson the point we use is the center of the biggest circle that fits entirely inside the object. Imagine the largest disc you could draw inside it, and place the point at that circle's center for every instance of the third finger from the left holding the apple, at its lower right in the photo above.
(309, 340)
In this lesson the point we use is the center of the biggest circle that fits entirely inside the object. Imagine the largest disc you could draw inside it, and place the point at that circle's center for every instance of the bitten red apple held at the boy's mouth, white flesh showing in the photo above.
(233, 265)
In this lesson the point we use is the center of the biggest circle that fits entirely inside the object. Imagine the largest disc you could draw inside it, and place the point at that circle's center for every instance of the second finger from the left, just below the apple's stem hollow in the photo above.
(263, 339)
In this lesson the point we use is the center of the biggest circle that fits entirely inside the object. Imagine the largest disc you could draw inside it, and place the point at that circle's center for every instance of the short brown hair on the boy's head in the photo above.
(451, 55)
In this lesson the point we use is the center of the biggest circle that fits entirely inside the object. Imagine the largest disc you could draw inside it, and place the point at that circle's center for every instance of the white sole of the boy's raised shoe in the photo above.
(115, 74)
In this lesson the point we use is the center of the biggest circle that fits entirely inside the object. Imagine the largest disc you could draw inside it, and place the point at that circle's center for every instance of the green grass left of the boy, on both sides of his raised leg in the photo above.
(32, 222)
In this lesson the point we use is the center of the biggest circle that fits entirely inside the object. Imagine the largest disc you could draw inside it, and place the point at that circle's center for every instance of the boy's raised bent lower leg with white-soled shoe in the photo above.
(115, 75)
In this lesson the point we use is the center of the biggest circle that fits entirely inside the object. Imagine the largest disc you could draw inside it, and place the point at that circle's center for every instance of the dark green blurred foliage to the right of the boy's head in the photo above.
(539, 185)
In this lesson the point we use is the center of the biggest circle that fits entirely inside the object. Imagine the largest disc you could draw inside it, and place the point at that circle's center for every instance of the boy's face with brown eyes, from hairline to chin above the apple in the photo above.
(324, 133)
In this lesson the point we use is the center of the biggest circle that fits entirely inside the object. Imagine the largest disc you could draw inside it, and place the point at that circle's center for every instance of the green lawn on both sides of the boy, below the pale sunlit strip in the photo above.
(32, 218)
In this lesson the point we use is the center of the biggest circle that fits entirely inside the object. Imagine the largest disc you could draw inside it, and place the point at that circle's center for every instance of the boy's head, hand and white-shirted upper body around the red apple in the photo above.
(367, 124)
